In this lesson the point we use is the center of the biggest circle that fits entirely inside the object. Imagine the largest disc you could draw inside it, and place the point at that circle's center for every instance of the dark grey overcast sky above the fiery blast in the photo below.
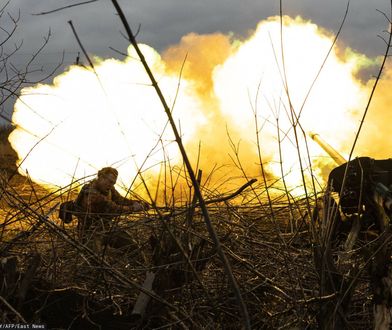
(164, 22)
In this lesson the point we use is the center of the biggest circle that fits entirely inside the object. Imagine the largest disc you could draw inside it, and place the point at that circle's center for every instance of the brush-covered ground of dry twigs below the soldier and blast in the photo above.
(271, 251)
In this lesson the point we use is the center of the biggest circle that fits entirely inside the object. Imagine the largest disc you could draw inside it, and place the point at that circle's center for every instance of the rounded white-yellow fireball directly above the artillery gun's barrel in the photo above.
(254, 77)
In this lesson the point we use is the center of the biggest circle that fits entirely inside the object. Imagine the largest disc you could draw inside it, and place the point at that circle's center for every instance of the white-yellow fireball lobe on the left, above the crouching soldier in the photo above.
(89, 123)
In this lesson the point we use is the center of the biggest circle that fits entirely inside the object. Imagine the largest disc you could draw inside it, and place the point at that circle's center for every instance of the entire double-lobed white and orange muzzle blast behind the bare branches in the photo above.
(87, 123)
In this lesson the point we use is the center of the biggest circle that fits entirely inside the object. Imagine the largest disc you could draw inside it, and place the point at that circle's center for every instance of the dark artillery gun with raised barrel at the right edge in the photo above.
(355, 219)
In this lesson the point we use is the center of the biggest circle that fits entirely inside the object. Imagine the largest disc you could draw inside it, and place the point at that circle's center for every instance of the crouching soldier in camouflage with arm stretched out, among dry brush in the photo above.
(97, 204)
